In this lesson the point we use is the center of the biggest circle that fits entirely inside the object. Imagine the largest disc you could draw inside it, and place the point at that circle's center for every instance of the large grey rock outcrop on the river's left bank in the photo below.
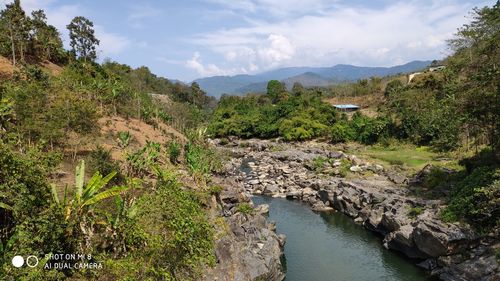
(247, 247)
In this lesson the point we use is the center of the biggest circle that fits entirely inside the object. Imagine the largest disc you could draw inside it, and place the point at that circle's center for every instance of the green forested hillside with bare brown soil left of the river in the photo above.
(91, 157)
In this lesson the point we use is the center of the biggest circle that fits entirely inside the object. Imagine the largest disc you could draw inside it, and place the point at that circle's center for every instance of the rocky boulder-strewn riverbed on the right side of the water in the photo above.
(376, 197)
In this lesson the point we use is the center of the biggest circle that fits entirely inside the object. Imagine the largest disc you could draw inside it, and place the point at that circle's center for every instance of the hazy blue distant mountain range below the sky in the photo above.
(307, 76)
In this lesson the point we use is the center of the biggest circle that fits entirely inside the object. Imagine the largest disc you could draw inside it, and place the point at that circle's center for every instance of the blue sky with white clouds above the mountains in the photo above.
(190, 39)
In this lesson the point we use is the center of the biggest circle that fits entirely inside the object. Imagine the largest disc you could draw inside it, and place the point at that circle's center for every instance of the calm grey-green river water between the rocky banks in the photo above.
(332, 247)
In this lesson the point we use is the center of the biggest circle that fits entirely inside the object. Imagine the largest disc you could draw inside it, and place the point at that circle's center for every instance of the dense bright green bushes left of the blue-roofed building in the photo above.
(298, 117)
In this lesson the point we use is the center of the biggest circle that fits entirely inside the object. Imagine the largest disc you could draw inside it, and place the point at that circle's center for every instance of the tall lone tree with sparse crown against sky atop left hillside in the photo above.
(83, 41)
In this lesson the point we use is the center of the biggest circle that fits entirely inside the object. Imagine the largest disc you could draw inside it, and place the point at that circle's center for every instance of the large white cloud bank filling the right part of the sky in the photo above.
(327, 35)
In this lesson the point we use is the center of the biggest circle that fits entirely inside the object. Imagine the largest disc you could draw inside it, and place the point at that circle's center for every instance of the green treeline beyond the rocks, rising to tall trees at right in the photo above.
(456, 107)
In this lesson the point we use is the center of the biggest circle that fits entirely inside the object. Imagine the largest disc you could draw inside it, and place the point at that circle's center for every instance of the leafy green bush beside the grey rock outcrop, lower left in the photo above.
(181, 235)
